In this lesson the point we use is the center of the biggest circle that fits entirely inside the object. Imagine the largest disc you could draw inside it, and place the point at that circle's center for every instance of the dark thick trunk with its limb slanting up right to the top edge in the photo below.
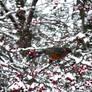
(26, 33)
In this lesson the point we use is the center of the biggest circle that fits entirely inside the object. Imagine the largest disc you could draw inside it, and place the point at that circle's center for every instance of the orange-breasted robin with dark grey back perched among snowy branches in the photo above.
(56, 53)
